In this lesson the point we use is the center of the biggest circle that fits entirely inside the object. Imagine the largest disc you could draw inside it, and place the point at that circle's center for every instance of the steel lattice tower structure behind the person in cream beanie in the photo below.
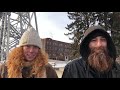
(12, 26)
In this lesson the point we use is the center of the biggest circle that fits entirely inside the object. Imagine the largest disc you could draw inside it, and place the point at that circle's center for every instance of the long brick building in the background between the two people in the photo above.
(56, 50)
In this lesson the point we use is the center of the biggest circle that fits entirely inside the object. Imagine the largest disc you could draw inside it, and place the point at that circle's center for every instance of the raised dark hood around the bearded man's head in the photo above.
(90, 34)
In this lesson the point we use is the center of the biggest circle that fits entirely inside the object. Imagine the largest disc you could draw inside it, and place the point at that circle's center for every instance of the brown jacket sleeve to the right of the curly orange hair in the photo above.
(51, 73)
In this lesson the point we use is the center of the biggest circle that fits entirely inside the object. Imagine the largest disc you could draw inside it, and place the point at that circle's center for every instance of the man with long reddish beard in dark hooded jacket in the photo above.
(98, 55)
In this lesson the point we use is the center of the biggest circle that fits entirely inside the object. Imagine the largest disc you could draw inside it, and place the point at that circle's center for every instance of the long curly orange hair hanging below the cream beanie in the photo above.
(16, 62)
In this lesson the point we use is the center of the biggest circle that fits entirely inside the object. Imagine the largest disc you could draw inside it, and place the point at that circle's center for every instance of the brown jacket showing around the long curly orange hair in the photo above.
(50, 72)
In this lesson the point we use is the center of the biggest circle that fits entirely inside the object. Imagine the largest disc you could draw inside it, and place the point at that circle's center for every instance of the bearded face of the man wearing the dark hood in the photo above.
(99, 58)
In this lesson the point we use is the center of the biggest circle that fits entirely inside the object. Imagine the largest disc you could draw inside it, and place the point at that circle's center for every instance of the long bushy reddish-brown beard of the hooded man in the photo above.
(100, 60)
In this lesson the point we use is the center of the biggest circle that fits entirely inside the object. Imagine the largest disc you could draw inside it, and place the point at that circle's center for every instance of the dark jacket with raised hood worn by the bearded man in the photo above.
(80, 69)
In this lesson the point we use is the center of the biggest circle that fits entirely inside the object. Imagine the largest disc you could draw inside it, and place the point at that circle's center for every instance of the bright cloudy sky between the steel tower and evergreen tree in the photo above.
(52, 25)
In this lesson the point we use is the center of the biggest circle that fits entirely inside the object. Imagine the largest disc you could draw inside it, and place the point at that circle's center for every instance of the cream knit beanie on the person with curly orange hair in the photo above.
(30, 37)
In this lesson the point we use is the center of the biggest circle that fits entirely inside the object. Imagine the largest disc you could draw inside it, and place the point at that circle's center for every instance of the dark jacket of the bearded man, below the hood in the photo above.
(79, 69)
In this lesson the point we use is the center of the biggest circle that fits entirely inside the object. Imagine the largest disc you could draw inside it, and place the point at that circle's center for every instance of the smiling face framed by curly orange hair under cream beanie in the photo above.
(30, 52)
